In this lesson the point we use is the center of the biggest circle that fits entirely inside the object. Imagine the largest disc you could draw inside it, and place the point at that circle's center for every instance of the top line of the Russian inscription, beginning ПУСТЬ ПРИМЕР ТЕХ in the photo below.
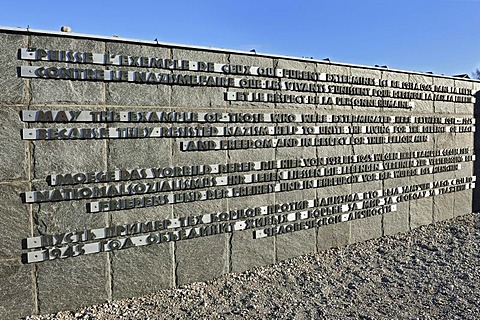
(323, 207)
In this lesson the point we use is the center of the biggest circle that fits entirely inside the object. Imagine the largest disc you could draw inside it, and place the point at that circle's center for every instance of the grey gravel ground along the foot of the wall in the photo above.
(432, 272)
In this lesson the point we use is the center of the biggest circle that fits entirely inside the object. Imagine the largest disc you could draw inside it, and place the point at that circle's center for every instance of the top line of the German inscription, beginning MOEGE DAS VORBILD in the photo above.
(350, 164)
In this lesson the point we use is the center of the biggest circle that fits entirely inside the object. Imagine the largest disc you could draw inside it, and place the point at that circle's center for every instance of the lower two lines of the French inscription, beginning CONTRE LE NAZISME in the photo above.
(307, 95)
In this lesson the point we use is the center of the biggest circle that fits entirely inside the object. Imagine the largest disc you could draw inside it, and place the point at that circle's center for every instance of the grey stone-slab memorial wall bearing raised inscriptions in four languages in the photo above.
(132, 166)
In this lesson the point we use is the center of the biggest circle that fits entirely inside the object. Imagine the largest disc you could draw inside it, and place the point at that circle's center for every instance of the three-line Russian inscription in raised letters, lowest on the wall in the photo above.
(71, 244)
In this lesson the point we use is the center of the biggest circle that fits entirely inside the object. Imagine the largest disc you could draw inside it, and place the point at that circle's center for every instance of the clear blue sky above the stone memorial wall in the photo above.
(442, 36)
